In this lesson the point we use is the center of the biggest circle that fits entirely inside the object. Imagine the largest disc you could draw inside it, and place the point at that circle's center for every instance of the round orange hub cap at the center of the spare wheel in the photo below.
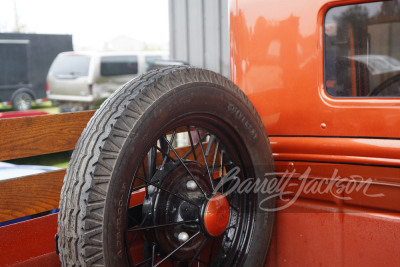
(216, 215)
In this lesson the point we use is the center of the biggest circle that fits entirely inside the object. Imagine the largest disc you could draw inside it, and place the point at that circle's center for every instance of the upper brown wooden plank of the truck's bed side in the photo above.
(38, 135)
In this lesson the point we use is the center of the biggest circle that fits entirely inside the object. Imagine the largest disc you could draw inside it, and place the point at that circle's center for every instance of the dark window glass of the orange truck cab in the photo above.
(362, 50)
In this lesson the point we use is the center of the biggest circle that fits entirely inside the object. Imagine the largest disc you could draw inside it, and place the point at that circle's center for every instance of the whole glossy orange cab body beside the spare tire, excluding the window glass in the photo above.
(277, 59)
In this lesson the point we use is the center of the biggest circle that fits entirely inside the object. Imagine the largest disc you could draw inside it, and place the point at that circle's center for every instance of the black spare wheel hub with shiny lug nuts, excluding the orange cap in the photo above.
(162, 207)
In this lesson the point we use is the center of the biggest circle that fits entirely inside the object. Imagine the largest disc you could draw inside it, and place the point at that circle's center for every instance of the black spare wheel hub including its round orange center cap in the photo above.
(209, 215)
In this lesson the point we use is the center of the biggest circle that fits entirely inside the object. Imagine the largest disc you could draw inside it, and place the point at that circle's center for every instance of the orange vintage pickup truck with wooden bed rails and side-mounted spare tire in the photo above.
(180, 167)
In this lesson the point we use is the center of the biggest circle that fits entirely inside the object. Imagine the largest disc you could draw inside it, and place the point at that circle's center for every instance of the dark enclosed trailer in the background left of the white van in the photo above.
(25, 60)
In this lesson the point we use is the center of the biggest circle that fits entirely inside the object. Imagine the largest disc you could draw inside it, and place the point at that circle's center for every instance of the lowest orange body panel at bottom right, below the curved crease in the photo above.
(312, 235)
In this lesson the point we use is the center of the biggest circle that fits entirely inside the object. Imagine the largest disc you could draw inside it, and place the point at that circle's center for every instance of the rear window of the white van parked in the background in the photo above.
(70, 66)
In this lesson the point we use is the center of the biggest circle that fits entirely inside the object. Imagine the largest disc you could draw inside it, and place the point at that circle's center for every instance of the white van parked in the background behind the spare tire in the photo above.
(79, 80)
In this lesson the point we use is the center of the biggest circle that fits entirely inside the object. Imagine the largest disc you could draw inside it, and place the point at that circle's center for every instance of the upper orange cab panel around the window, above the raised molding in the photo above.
(277, 59)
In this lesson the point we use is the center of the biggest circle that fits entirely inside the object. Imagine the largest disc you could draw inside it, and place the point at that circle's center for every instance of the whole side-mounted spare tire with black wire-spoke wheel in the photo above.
(95, 220)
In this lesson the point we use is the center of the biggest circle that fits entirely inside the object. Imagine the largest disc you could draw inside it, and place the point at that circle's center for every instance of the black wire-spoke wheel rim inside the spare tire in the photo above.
(177, 186)
